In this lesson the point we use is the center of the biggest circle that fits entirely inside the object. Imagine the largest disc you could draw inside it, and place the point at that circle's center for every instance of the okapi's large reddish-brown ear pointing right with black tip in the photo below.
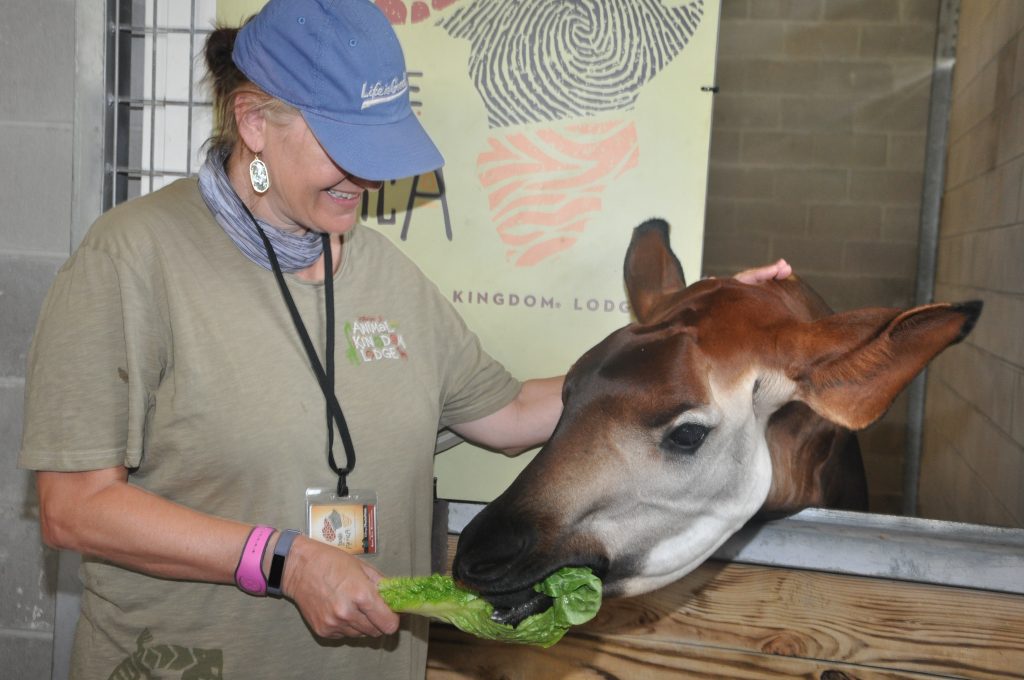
(850, 367)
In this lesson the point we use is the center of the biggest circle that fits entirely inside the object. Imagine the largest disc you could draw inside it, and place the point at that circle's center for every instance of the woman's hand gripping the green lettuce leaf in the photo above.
(336, 592)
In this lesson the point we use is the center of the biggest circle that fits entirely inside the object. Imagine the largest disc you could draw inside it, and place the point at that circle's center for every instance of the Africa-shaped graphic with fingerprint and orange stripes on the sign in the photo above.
(559, 80)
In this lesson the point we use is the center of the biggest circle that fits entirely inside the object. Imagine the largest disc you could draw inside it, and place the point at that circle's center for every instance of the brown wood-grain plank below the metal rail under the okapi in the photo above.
(740, 621)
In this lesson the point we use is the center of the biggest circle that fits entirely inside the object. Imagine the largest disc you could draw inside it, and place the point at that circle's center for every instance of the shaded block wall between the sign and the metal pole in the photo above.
(818, 156)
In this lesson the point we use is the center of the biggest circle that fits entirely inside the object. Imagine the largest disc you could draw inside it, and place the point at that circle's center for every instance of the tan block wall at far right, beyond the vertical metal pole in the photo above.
(973, 469)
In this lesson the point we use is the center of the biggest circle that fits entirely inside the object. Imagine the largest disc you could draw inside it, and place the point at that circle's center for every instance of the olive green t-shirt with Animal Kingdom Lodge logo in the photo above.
(162, 349)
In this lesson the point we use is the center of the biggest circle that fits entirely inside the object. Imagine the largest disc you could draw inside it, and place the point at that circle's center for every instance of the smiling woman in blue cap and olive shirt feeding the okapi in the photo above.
(177, 388)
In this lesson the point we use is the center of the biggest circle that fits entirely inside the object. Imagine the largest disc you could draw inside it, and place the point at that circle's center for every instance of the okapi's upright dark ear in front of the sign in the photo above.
(652, 270)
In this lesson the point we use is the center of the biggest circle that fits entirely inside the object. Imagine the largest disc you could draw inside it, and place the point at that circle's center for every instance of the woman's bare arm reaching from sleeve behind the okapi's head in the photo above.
(526, 422)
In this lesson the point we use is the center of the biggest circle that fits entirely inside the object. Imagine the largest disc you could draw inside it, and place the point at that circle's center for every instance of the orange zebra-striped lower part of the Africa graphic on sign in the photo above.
(544, 185)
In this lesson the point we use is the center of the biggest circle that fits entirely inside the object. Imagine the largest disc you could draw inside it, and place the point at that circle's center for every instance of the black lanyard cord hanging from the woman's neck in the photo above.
(324, 377)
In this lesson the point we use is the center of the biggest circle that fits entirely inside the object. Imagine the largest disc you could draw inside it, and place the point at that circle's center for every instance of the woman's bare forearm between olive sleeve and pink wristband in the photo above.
(99, 514)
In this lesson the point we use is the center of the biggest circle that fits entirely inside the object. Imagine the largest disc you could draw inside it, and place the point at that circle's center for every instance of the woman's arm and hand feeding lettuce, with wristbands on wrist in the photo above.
(99, 514)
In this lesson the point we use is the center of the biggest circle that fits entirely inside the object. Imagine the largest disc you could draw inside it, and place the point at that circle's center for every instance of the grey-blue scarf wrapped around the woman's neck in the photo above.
(294, 251)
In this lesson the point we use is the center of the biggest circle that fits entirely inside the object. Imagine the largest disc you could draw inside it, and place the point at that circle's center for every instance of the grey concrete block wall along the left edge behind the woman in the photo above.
(37, 79)
